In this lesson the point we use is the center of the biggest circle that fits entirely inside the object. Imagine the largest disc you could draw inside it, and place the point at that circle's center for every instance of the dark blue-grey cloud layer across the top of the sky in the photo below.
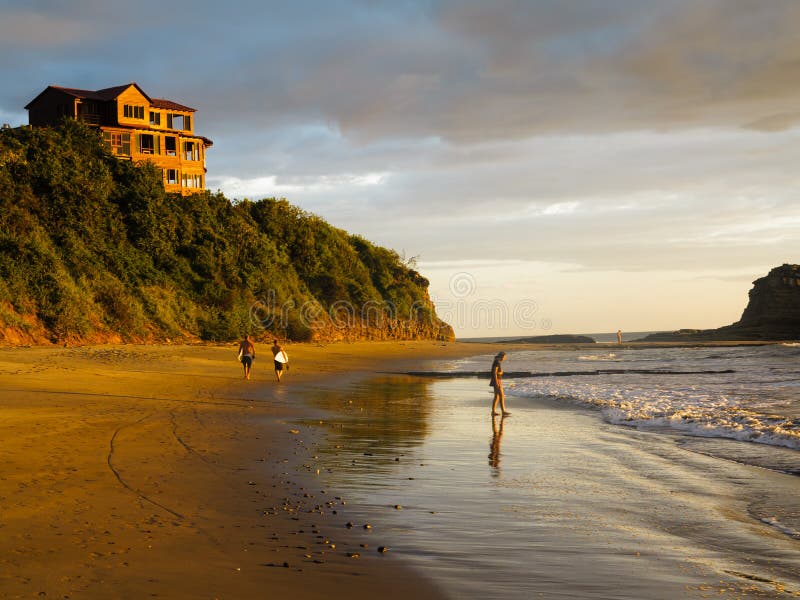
(465, 72)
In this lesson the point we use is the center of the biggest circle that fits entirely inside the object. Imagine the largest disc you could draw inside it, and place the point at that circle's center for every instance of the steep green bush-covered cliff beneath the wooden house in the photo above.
(93, 249)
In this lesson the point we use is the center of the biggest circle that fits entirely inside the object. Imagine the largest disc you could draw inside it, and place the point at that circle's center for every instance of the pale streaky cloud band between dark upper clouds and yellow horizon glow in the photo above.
(633, 202)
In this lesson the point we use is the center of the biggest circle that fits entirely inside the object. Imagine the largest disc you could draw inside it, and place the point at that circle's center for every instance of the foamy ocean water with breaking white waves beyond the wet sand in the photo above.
(747, 393)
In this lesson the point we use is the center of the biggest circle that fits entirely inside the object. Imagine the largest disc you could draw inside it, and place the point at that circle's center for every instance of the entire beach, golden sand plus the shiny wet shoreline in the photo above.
(157, 471)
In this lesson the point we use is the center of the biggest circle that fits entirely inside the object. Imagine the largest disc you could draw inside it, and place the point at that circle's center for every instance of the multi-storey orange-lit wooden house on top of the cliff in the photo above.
(135, 127)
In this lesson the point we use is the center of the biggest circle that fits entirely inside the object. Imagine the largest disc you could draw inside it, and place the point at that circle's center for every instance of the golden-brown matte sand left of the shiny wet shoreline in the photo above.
(157, 471)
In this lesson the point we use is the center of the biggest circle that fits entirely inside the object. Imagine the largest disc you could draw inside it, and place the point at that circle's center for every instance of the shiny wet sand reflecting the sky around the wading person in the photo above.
(552, 502)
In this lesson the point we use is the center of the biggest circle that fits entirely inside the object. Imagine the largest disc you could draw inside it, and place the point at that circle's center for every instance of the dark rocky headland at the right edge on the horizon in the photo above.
(773, 312)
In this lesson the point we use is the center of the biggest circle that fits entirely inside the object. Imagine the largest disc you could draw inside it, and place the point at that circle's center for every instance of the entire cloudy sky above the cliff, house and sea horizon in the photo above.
(569, 166)
